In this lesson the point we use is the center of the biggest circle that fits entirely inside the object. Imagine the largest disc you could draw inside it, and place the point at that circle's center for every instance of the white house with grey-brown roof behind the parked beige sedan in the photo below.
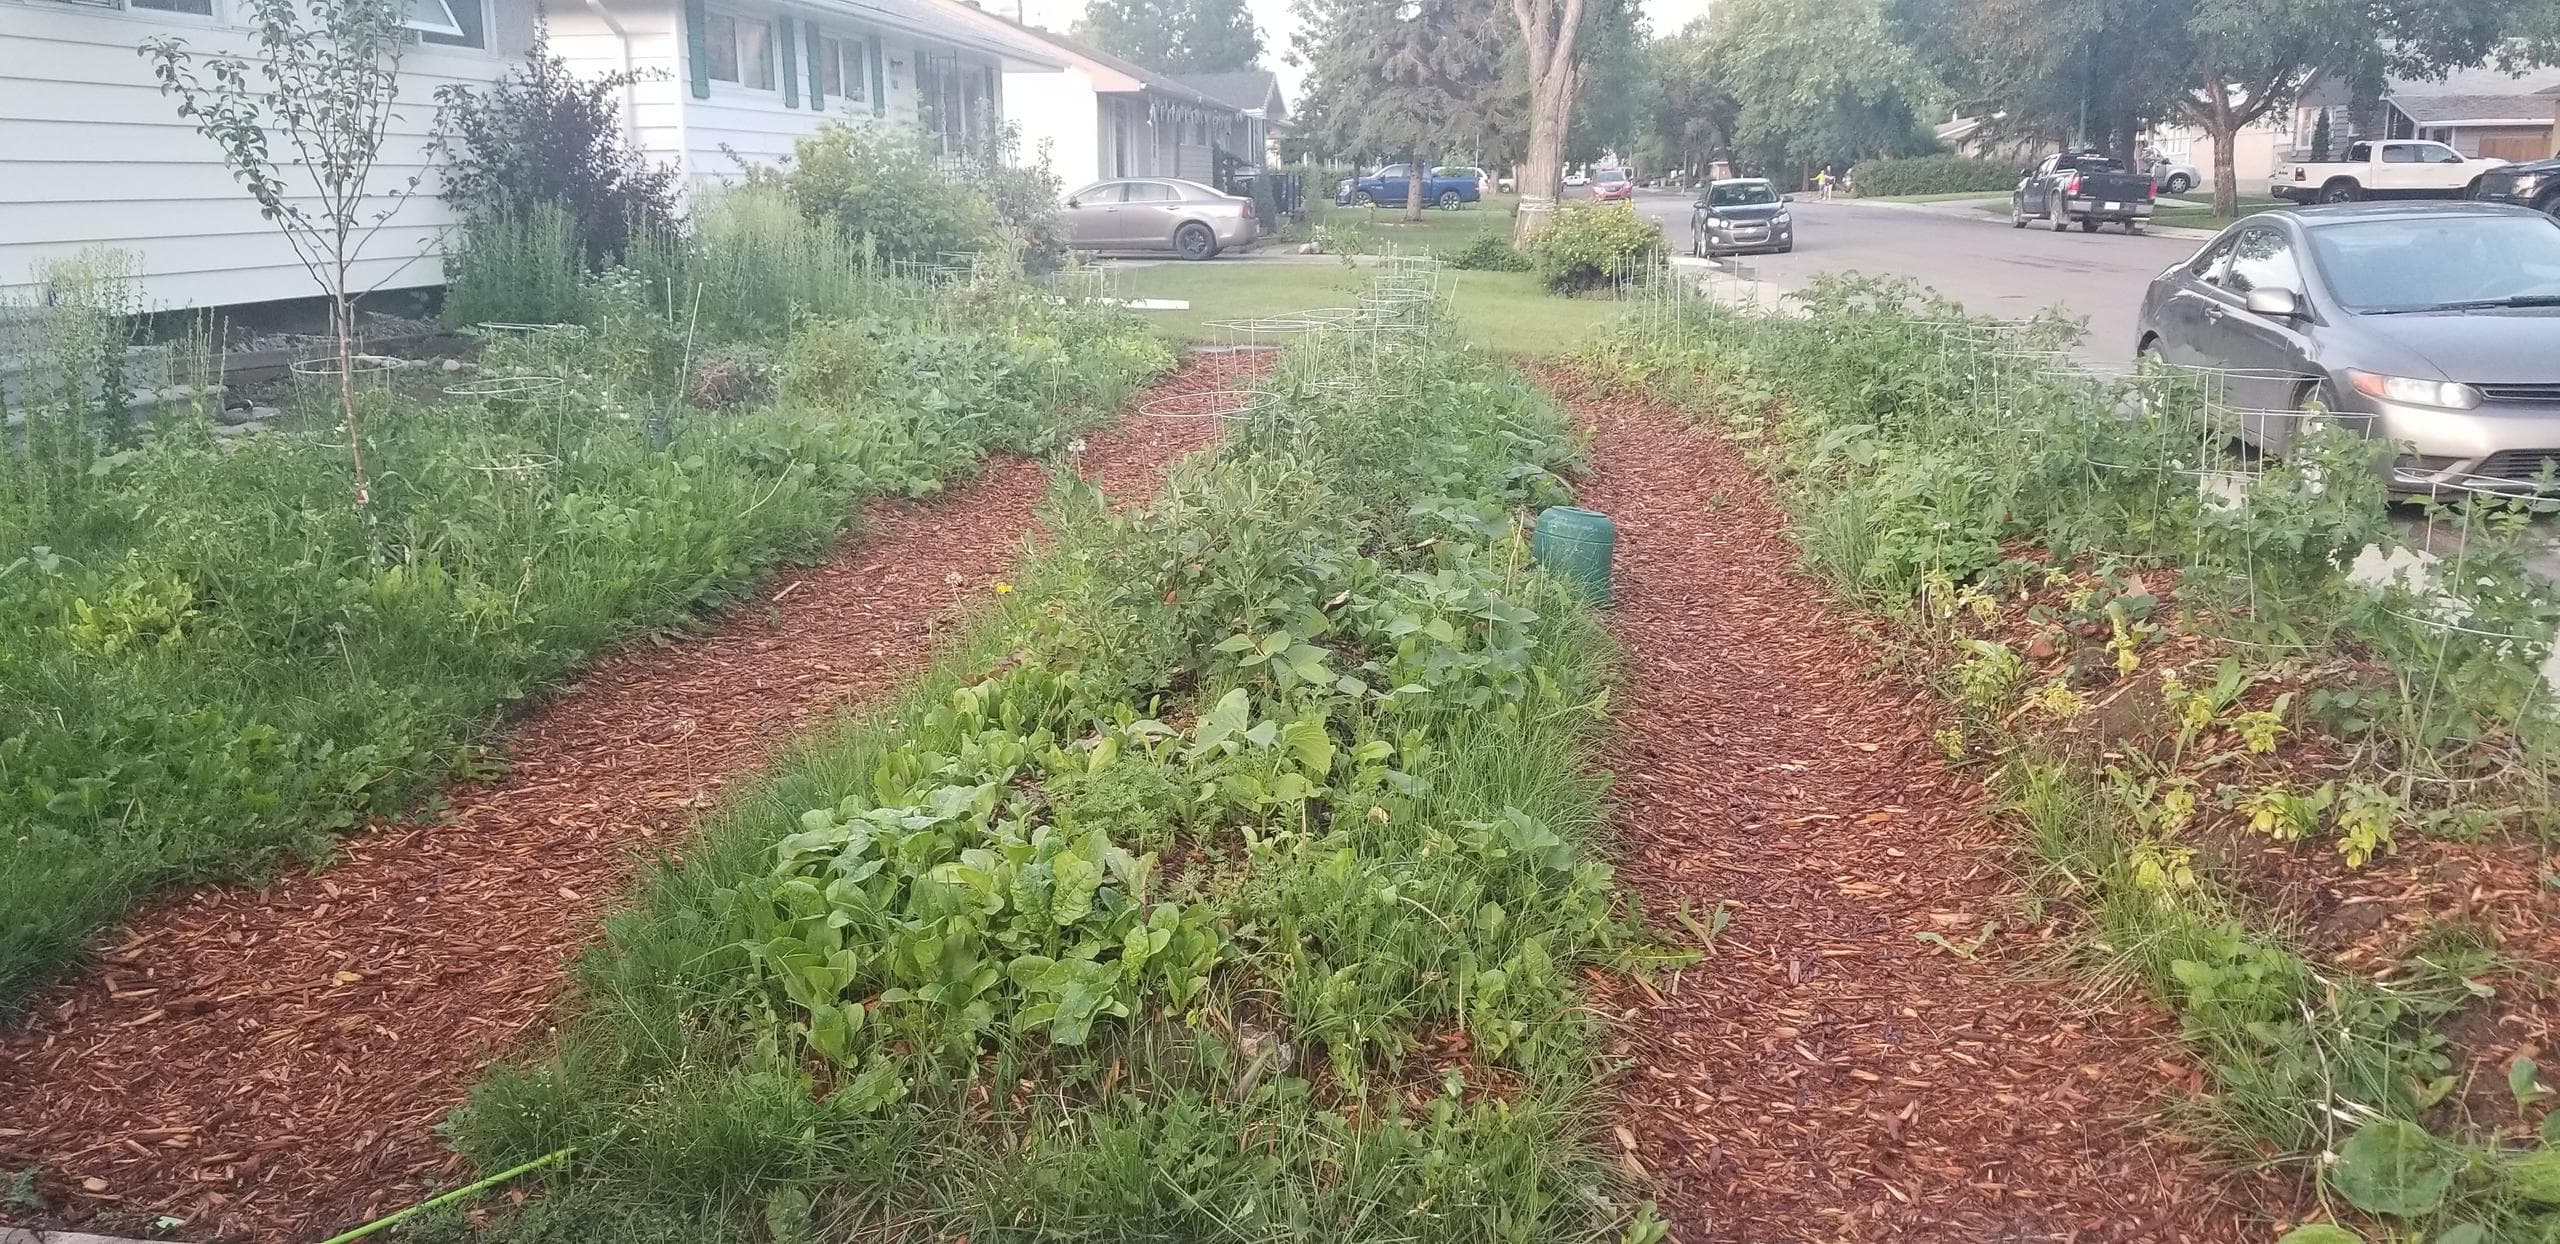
(1112, 119)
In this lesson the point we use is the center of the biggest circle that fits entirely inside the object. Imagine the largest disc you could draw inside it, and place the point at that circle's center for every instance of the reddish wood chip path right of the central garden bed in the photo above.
(1829, 1076)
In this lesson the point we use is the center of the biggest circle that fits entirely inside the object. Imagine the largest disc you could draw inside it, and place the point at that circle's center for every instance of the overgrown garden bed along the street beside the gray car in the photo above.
(2300, 810)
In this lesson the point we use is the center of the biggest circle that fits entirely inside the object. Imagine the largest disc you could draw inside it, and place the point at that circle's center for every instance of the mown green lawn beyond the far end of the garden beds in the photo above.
(1501, 311)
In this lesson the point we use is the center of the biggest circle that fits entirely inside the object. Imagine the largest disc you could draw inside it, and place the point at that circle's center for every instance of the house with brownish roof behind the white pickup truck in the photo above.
(2477, 111)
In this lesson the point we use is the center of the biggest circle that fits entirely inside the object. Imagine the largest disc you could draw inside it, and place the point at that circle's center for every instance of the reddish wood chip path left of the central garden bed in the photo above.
(270, 1064)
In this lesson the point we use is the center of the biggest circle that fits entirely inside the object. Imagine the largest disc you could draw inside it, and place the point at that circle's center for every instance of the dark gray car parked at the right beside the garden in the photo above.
(2436, 319)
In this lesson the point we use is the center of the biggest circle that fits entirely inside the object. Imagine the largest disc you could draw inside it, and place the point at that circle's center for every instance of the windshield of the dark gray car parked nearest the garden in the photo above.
(2449, 262)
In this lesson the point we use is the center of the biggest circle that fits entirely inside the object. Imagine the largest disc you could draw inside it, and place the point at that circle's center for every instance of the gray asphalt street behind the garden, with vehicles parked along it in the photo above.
(1965, 255)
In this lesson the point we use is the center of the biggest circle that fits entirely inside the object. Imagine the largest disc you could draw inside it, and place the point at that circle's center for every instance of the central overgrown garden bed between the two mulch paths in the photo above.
(1235, 884)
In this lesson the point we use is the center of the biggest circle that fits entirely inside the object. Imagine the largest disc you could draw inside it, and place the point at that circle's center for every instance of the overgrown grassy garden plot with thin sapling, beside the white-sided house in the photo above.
(214, 662)
